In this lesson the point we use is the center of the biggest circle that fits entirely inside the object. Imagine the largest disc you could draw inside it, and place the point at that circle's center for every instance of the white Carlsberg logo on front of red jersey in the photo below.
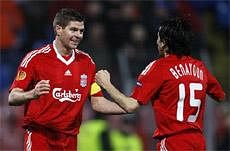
(64, 95)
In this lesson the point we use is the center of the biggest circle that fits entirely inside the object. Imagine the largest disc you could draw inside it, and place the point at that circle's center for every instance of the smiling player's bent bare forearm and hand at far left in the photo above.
(18, 96)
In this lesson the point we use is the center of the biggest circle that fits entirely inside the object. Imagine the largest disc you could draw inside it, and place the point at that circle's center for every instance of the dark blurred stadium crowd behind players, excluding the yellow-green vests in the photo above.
(121, 37)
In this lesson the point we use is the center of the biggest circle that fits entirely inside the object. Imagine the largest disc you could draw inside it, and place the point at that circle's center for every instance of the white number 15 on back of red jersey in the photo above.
(193, 102)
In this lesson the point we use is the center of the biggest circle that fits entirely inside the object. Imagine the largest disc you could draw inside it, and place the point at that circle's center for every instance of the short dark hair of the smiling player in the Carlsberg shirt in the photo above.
(65, 15)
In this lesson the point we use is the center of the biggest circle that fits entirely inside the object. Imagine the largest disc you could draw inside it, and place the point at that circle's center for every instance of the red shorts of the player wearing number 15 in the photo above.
(185, 141)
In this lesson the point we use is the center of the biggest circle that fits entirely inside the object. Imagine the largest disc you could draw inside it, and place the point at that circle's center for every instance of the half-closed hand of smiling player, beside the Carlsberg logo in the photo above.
(42, 87)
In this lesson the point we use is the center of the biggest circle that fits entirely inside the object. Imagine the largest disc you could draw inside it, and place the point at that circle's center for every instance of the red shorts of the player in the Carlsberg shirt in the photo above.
(37, 140)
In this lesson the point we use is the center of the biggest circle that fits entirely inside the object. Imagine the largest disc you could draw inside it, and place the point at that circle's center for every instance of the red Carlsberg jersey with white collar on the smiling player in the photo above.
(71, 82)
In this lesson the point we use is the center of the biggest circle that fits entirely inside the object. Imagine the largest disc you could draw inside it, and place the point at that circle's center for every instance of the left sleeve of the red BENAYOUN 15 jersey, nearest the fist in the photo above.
(148, 83)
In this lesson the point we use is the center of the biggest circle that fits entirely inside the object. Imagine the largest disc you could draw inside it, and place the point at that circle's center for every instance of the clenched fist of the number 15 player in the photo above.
(103, 78)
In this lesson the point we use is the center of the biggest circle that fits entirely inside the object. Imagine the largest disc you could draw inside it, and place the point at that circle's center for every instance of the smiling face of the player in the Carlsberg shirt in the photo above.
(72, 34)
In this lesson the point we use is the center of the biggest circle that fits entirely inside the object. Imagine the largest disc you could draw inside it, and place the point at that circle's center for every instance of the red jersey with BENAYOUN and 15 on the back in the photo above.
(177, 88)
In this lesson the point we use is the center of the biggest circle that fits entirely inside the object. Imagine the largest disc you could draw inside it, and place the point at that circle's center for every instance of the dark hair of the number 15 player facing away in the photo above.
(178, 36)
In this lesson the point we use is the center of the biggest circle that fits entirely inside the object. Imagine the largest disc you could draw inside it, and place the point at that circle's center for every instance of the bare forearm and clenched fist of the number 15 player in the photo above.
(127, 103)
